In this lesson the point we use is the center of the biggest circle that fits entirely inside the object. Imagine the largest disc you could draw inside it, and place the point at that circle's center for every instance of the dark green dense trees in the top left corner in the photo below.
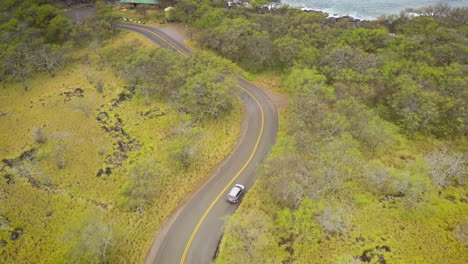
(36, 35)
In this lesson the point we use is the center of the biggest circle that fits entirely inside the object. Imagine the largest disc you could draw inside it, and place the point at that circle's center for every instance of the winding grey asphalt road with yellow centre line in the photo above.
(194, 231)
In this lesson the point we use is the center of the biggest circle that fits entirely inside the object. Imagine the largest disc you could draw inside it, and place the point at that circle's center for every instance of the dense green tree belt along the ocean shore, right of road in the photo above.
(410, 68)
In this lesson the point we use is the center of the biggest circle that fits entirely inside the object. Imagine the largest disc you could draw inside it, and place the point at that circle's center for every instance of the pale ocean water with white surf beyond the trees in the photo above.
(367, 9)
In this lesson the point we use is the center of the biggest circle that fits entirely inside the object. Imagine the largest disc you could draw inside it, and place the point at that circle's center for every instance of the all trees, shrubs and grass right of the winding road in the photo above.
(371, 163)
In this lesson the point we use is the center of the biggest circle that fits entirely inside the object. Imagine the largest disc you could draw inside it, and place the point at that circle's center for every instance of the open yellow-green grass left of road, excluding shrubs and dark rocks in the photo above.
(47, 213)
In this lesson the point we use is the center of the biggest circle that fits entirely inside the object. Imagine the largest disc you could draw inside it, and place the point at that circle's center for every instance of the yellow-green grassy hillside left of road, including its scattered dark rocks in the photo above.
(73, 142)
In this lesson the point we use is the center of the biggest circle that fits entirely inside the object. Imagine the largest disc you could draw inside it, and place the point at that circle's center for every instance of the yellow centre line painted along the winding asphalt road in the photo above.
(257, 143)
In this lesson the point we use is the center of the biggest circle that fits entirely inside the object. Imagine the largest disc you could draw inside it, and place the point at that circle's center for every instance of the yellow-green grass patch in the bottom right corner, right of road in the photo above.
(420, 235)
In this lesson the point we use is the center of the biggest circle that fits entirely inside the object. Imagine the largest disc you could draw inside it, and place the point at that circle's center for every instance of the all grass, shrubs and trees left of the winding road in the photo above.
(101, 135)
